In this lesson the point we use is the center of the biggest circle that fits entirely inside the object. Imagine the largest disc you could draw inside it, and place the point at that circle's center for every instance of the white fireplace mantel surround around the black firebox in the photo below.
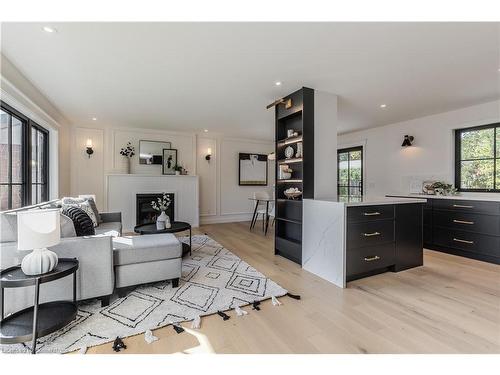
(121, 191)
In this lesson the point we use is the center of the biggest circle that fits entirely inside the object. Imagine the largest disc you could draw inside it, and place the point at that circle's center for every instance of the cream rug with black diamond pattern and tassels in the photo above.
(213, 279)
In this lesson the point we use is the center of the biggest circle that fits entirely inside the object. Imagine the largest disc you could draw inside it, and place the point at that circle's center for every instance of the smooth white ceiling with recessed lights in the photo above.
(220, 76)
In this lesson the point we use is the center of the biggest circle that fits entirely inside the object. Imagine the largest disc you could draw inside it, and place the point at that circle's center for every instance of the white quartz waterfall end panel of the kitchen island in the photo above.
(323, 237)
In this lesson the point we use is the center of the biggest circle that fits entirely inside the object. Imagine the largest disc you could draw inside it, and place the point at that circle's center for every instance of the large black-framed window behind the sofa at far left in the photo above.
(24, 150)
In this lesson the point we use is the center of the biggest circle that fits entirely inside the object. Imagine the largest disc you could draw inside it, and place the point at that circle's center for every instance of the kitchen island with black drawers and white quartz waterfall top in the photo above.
(352, 238)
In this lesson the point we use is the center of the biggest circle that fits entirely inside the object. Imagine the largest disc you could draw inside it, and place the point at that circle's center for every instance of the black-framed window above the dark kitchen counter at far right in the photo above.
(477, 158)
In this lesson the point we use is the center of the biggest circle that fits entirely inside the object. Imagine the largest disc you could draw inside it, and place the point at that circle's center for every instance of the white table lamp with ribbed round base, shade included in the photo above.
(37, 230)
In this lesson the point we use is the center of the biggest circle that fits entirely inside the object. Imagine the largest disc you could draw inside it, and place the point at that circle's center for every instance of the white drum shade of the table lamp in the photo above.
(38, 229)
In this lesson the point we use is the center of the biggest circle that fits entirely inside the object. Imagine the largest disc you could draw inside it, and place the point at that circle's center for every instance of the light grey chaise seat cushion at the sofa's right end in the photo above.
(148, 248)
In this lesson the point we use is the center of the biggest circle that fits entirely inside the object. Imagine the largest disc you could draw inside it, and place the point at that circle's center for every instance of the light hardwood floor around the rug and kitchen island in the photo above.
(450, 305)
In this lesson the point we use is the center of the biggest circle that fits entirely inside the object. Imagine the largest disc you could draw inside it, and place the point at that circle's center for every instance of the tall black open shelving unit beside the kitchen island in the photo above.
(300, 118)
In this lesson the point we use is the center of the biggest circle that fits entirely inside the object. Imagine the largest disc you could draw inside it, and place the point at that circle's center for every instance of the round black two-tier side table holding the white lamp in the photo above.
(40, 319)
